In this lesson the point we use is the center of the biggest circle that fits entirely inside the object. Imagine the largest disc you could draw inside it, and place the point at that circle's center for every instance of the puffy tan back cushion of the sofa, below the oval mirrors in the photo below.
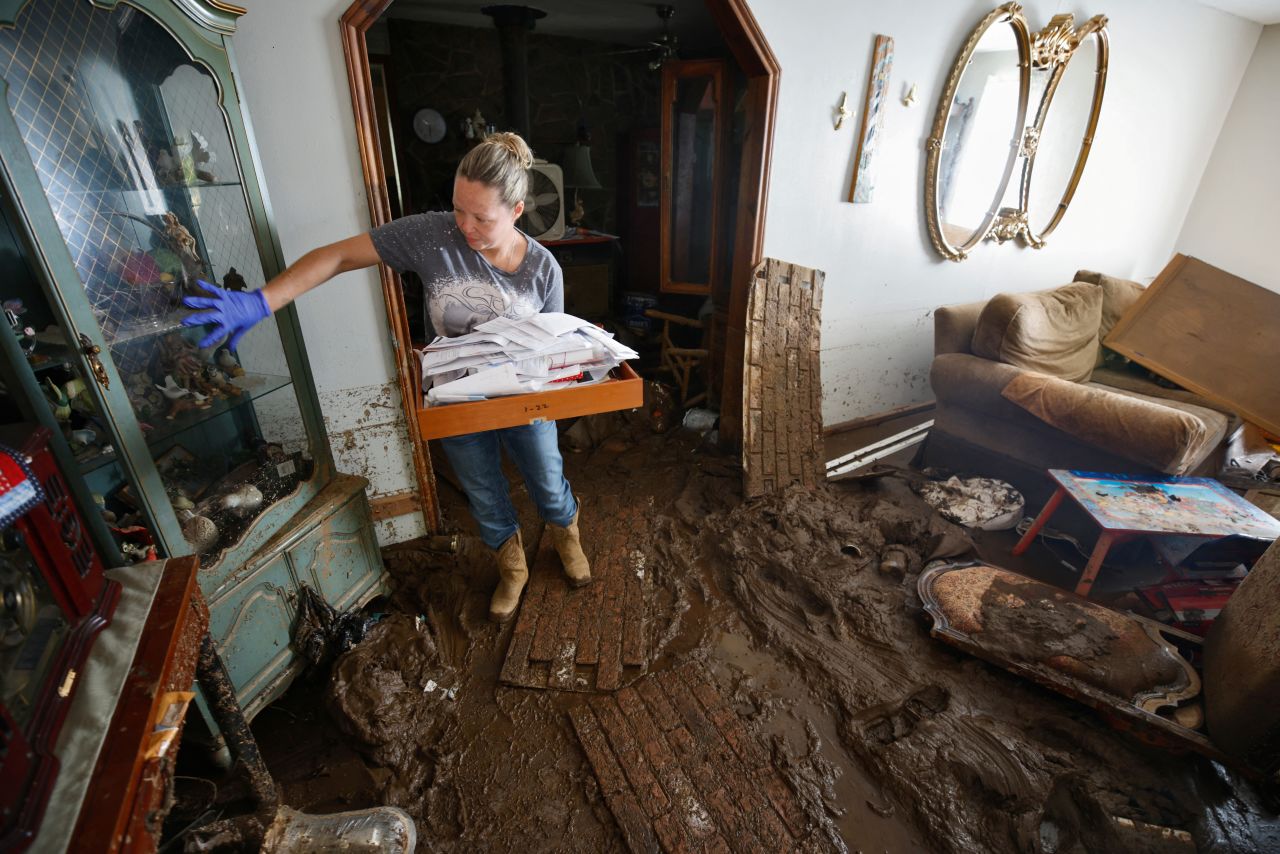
(1052, 332)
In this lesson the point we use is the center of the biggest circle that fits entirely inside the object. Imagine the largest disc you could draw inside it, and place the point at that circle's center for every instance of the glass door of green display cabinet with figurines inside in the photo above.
(136, 159)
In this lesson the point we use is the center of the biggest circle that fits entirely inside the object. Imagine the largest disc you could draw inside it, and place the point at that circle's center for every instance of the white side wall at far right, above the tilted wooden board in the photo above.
(1236, 217)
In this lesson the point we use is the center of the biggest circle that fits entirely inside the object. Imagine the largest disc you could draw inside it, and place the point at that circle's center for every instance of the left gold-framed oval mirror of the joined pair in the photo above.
(977, 133)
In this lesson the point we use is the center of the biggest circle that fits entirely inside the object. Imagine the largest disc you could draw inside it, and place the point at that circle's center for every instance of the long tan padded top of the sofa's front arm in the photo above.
(1168, 436)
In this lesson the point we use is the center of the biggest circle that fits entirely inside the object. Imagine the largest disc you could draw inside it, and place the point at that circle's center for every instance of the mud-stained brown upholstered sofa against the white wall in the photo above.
(1032, 401)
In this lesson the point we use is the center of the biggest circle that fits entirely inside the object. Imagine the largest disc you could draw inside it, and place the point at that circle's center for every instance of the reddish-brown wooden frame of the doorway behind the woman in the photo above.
(751, 51)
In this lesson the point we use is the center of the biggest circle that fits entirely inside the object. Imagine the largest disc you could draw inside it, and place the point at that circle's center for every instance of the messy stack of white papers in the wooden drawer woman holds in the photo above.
(506, 357)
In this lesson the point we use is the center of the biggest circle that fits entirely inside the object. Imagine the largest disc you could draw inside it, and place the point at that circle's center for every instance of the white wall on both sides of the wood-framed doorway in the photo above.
(1176, 68)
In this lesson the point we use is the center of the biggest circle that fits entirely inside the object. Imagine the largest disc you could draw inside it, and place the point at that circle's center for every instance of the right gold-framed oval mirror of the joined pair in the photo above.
(1069, 74)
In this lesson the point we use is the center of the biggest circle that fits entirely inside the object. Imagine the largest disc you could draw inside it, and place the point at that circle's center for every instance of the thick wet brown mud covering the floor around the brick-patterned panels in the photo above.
(894, 741)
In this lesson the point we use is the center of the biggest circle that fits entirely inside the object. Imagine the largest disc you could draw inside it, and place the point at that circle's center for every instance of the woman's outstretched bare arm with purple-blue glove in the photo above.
(234, 313)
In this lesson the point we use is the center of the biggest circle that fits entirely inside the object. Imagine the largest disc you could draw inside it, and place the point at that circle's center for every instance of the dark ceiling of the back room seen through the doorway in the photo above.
(625, 22)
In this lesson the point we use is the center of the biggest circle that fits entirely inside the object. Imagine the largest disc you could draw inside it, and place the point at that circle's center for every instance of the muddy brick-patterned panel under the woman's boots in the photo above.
(587, 640)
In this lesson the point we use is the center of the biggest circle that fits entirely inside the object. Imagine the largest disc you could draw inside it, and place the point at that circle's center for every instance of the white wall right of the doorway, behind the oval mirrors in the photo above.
(1176, 67)
